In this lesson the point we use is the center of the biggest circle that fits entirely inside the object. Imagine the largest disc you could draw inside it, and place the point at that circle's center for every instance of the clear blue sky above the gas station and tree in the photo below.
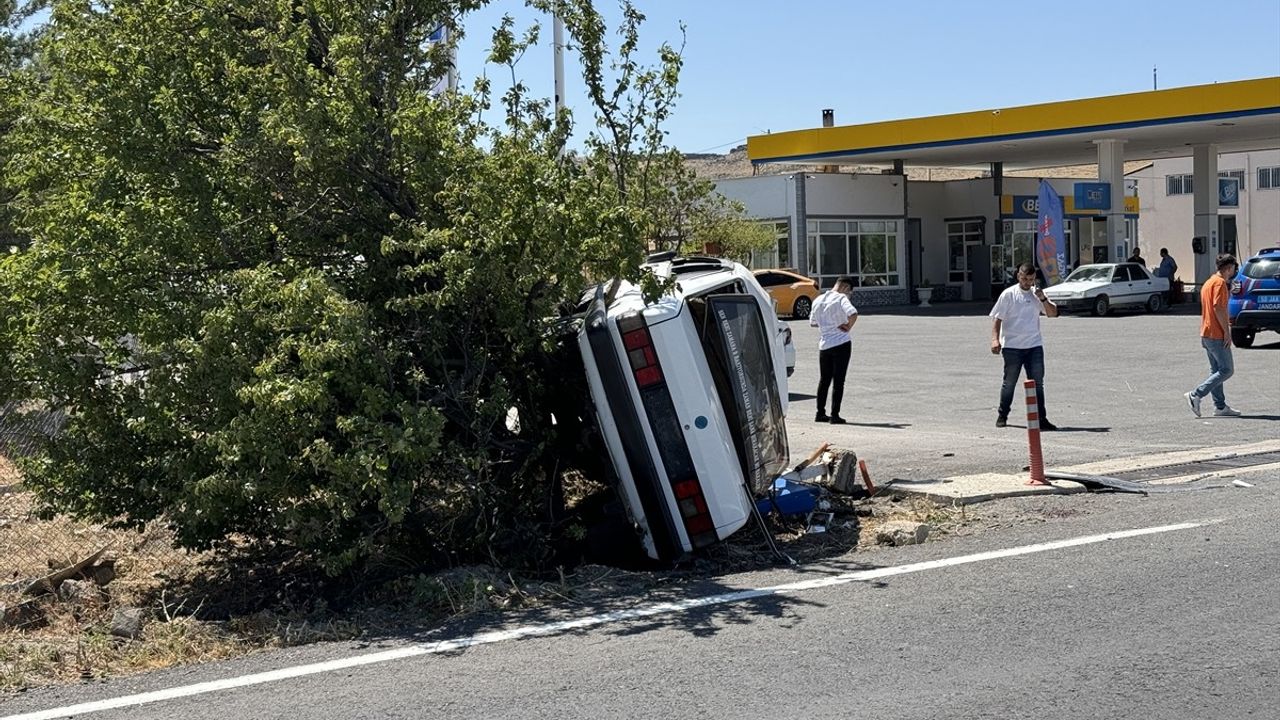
(756, 66)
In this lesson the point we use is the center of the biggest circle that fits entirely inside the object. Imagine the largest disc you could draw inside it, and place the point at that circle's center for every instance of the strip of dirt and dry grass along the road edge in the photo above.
(188, 596)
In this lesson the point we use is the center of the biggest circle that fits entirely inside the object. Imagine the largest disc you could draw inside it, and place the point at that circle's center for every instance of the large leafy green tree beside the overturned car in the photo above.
(287, 294)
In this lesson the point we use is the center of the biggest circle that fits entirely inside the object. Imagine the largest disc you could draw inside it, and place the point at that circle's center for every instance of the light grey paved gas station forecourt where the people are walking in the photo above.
(924, 390)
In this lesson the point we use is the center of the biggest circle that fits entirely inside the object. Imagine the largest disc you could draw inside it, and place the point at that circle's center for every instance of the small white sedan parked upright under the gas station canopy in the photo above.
(1104, 286)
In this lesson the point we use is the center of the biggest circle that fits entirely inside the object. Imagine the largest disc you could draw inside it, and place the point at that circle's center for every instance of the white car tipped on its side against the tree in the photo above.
(689, 395)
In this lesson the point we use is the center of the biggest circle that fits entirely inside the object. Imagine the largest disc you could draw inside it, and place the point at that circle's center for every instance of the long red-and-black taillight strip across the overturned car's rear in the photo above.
(666, 431)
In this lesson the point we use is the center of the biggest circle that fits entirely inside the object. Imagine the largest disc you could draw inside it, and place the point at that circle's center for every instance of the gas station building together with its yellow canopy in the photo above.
(967, 236)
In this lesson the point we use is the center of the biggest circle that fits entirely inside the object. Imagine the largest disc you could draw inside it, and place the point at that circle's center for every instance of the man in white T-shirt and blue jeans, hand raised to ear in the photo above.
(1016, 335)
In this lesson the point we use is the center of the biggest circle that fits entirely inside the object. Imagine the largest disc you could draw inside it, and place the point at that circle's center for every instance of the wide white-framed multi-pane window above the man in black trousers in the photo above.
(865, 250)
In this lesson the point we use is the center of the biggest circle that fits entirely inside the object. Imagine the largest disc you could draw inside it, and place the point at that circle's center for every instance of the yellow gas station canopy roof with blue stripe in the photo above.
(1235, 117)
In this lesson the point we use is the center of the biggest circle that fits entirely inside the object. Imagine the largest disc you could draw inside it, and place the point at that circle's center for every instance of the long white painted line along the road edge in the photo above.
(589, 622)
